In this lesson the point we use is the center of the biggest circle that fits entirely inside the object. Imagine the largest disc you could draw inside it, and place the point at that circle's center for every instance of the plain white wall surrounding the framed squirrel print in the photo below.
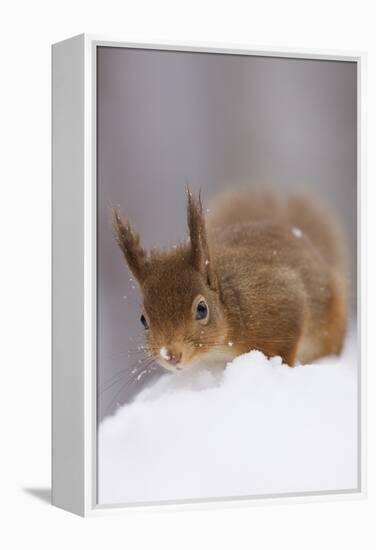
(27, 29)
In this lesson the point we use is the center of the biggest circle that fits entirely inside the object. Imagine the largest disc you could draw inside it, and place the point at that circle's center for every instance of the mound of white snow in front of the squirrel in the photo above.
(258, 428)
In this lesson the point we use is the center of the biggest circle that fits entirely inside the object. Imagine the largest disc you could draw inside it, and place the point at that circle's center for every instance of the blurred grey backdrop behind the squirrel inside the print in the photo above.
(168, 118)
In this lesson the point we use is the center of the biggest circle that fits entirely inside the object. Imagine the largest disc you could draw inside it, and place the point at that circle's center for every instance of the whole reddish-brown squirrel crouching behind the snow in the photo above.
(270, 269)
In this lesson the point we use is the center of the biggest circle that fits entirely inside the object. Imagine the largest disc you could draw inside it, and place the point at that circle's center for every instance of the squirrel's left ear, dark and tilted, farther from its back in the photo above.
(129, 243)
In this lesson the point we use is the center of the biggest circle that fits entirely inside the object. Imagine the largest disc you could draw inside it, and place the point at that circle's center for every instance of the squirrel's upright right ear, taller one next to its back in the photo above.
(200, 253)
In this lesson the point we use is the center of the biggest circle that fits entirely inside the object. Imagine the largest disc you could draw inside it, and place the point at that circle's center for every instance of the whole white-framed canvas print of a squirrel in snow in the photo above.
(207, 281)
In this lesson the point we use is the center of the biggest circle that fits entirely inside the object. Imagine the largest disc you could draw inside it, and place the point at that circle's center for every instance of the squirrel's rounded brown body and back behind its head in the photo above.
(284, 256)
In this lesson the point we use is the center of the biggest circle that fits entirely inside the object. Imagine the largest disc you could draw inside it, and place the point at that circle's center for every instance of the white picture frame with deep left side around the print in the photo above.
(74, 391)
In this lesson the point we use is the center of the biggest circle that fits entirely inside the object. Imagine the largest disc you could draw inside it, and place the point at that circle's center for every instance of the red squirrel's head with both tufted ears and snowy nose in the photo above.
(182, 314)
